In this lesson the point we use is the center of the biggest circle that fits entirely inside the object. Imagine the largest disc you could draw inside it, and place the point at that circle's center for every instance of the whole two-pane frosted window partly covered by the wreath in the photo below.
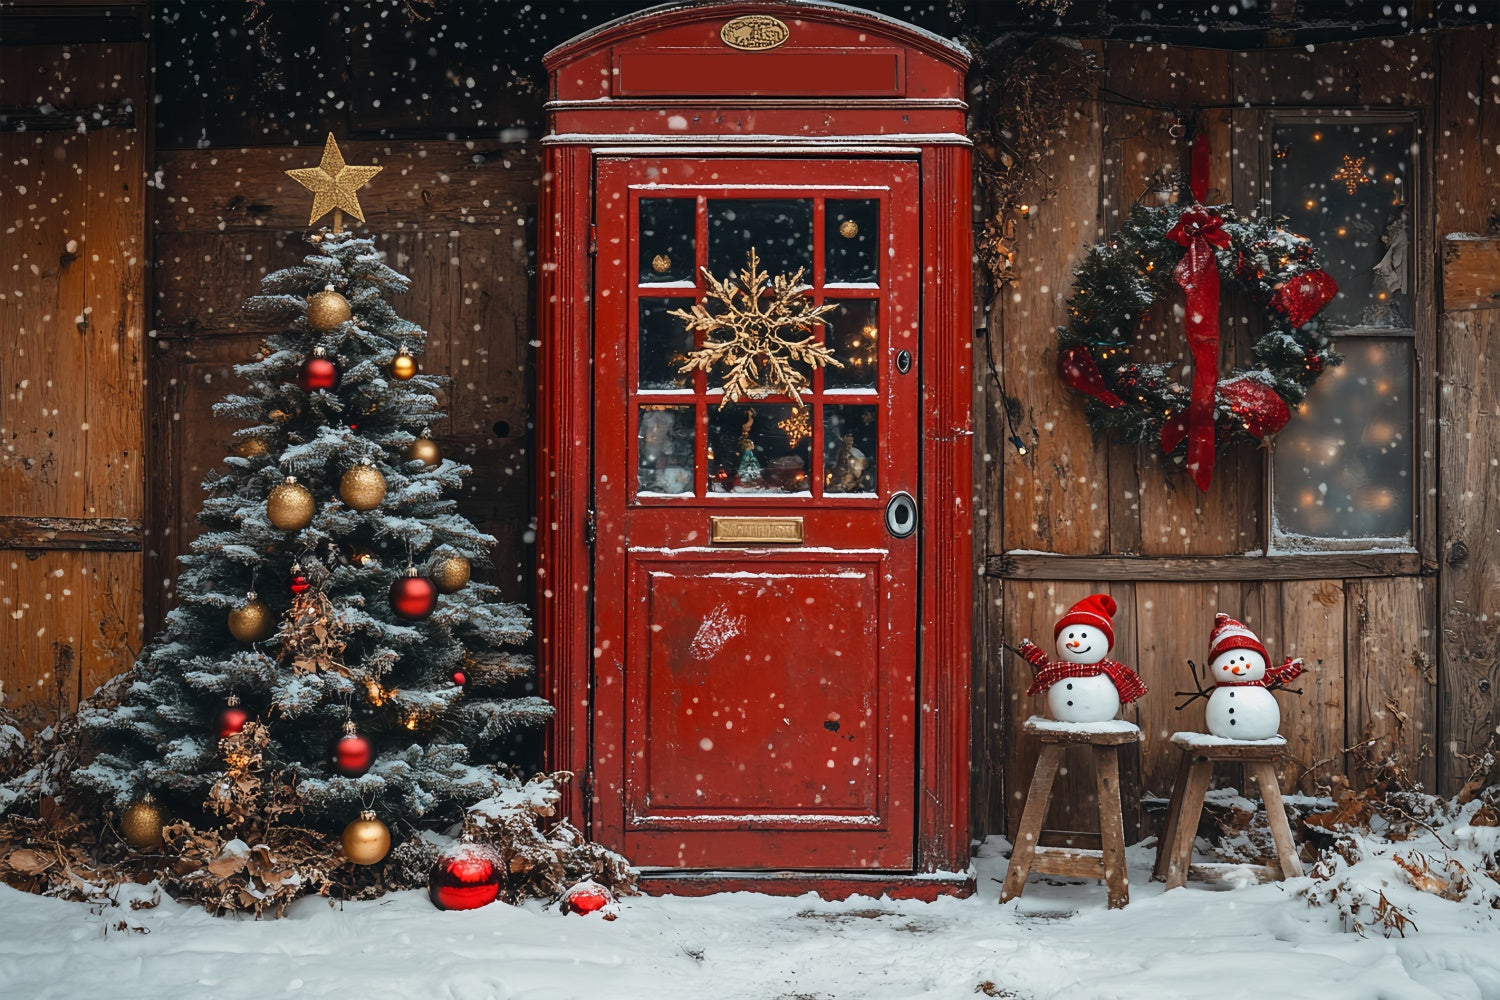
(1343, 472)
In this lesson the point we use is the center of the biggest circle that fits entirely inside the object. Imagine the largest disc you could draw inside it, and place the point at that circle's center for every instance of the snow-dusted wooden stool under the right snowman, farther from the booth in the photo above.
(1199, 755)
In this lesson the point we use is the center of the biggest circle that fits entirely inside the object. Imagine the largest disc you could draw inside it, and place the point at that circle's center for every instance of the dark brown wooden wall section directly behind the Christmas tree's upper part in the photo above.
(452, 217)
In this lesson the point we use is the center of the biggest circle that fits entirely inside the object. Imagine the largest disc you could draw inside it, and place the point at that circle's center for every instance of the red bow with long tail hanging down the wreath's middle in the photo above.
(1198, 274)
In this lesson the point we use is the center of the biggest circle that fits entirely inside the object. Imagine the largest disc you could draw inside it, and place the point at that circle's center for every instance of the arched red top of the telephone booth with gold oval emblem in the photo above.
(805, 71)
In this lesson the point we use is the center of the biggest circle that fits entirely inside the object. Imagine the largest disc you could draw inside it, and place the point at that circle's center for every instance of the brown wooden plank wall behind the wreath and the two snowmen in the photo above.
(1172, 557)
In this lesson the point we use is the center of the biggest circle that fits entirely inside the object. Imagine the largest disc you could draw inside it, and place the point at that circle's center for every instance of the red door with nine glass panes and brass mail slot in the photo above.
(755, 576)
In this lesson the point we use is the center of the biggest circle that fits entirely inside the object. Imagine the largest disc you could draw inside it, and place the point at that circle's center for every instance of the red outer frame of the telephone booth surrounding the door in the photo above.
(928, 121)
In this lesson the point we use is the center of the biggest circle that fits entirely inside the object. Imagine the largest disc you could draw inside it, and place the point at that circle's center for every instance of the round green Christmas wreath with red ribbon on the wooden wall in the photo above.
(1199, 250)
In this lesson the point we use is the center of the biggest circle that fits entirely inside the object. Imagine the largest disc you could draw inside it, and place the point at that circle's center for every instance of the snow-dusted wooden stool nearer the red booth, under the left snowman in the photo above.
(1109, 864)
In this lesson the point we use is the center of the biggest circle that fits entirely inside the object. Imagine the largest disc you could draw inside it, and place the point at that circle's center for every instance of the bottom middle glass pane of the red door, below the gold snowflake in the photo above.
(760, 449)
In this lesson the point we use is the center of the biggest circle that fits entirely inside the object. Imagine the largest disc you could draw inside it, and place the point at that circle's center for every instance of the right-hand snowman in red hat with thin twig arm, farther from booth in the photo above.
(1243, 705)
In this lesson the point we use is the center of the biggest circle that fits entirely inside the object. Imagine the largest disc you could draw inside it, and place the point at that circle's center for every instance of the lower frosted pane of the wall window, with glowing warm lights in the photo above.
(1343, 467)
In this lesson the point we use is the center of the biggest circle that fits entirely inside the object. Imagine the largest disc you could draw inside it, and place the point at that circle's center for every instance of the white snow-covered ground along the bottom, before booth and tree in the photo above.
(1058, 941)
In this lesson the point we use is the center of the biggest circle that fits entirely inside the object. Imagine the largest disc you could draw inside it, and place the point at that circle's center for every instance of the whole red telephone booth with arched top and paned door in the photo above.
(757, 614)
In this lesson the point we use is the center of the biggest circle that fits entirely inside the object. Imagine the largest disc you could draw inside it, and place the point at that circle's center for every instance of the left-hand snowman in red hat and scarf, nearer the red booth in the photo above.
(1084, 684)
